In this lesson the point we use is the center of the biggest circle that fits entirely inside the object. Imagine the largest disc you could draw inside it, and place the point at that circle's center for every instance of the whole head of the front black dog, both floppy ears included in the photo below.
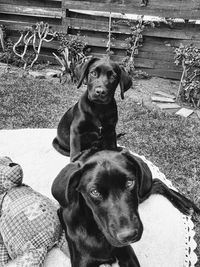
(110, 183)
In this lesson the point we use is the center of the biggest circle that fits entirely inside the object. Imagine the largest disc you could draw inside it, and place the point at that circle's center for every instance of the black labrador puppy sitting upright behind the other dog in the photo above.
(92, 120)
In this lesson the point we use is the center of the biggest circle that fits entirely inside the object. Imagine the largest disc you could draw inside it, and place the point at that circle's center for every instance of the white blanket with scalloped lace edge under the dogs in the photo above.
(167, 240)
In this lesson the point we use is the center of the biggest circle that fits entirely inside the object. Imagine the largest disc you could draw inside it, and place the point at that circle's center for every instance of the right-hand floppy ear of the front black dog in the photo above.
(143, 174)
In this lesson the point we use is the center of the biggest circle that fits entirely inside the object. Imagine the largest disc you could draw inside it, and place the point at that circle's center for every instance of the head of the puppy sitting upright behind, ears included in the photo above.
(103, 77)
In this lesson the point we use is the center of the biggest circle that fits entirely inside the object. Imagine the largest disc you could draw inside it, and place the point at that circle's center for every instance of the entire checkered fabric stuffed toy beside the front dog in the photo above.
(29, 225)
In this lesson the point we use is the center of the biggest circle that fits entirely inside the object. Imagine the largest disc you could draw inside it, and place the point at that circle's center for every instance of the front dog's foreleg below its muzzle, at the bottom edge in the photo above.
(126, 257)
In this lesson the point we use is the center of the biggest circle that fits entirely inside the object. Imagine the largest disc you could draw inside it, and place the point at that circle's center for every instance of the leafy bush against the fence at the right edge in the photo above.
(189, 87)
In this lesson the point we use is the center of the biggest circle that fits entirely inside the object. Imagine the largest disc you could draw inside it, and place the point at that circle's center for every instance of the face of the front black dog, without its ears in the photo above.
(110, 191)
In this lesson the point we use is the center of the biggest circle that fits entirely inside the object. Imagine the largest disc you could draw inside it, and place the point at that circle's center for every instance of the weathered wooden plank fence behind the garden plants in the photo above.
(156, 56)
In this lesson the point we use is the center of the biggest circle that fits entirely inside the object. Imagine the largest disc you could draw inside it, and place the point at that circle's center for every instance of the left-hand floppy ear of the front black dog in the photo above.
(64, 185)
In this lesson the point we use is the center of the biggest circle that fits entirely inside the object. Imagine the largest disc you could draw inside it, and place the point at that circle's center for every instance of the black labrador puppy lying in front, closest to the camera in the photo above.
(99, 195)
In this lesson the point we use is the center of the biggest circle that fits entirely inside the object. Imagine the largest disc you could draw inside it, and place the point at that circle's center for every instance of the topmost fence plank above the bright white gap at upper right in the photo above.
(186, 9)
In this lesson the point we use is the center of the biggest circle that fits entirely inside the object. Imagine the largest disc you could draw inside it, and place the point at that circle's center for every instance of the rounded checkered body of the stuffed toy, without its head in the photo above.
(28, 221)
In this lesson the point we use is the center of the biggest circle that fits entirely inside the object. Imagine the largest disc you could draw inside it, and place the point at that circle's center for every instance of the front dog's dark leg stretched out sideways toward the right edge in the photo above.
(182, 203)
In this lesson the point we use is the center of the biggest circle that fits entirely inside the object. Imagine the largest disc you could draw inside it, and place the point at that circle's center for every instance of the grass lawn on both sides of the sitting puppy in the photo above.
(170, 142)
